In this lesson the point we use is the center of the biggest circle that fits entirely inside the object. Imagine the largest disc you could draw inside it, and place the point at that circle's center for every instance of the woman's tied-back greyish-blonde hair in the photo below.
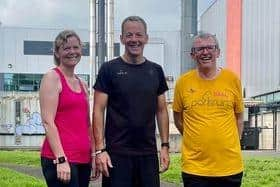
(60, 40)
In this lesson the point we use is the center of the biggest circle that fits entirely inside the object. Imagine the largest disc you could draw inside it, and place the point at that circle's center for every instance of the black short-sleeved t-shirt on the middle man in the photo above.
(132, 91)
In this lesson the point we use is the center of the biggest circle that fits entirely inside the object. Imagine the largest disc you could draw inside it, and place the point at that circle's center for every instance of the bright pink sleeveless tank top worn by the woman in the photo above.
(72, 123)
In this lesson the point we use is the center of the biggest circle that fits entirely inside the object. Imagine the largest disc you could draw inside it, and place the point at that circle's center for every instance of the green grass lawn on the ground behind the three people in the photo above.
(259, 171)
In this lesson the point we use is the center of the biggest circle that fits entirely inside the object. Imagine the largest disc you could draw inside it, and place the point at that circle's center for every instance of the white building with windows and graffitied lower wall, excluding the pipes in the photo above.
(26, 54)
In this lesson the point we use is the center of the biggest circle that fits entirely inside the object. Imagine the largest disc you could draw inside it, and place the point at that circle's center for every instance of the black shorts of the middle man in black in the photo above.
(133, 171)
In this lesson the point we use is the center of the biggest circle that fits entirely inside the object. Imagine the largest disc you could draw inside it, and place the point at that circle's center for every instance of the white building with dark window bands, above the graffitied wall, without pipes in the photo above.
(26, 54)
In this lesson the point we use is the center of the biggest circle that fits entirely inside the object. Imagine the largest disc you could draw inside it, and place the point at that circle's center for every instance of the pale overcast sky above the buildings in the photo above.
(159, 14)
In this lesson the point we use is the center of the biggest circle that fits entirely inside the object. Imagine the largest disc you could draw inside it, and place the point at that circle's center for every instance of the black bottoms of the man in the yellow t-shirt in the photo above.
(204, 181)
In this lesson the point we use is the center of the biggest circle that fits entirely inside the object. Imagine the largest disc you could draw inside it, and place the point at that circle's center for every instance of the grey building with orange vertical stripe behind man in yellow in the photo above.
(249, 35)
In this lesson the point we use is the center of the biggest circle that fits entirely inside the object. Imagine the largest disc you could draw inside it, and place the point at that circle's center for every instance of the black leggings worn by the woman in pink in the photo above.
(80, 174)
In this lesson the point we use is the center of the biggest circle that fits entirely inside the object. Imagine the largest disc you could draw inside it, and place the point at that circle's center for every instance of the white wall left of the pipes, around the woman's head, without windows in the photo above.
(12, 50)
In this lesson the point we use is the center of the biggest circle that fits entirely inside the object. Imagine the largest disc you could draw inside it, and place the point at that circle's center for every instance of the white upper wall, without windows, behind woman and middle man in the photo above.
(163, 48)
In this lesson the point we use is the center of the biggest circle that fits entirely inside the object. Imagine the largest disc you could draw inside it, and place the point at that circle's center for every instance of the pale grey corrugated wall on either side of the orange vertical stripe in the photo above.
(260, 42)
